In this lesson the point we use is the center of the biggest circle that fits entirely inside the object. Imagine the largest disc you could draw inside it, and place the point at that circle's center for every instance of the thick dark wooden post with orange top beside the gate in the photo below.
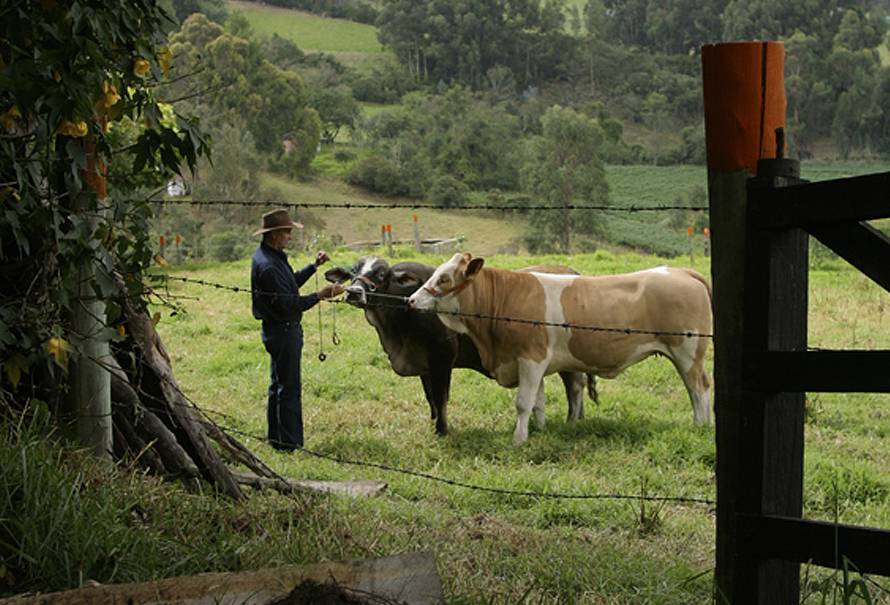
(744, 101)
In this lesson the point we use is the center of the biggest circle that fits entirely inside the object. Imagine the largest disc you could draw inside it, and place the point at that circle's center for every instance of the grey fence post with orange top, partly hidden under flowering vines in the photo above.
(90, 381)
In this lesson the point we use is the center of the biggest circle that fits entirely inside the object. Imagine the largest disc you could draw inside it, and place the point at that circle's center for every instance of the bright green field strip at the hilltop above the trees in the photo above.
(349, 41)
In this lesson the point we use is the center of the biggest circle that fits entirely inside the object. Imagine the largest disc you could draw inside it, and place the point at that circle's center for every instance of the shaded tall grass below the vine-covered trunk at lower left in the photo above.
(66, 518)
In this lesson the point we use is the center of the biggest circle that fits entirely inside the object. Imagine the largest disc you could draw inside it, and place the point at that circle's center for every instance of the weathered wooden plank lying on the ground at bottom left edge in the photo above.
(410, 578)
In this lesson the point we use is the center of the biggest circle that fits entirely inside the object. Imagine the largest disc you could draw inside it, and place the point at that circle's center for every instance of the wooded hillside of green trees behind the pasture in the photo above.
(480, 90)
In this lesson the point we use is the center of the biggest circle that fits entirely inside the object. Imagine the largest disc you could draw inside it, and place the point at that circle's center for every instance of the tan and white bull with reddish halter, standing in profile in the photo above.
(619, 319)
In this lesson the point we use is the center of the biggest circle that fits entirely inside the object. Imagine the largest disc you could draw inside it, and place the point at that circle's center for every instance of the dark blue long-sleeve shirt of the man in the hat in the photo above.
(276, 295)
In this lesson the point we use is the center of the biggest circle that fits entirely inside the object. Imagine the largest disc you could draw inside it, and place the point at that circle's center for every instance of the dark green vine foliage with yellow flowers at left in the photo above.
(78, 94)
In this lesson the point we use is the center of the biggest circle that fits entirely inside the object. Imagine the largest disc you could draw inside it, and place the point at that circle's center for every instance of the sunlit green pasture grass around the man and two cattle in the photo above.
(494, 548)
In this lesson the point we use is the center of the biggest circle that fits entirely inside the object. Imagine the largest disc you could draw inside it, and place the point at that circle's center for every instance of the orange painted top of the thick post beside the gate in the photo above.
(744, 97)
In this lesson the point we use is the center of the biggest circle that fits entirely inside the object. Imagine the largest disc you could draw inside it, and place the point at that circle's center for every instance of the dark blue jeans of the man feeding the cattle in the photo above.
(284, 343)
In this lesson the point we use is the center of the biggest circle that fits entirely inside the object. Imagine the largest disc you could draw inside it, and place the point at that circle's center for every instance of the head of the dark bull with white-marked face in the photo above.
(372, 282)
